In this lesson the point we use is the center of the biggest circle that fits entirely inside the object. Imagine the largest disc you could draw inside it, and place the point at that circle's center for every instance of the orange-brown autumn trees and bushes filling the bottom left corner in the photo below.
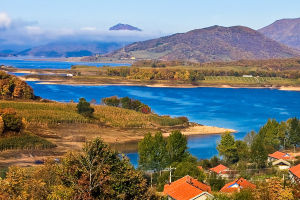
(96, 173)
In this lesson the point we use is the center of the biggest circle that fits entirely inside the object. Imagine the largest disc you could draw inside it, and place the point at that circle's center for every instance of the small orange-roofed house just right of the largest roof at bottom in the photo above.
(237, 185)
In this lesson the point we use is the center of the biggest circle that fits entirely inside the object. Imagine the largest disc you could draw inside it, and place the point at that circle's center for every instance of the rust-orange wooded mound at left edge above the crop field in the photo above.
(11, 87)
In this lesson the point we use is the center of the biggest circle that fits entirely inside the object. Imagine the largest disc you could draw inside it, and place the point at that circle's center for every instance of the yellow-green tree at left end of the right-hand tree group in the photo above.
(227, 148)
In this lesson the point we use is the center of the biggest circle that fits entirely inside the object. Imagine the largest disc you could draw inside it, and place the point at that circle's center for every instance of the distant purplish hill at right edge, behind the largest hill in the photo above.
(286, 31)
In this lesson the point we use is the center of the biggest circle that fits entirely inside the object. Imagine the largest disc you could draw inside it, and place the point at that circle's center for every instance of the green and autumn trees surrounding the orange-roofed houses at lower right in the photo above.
(246, 158)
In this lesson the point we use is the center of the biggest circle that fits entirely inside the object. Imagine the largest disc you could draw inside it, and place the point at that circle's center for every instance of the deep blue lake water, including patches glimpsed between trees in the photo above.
(240, 109)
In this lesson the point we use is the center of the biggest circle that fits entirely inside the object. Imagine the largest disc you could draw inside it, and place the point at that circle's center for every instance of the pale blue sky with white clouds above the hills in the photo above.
(53, 18)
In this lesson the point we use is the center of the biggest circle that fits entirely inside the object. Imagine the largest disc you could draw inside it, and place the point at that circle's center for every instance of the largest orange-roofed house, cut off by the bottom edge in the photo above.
(187, 188)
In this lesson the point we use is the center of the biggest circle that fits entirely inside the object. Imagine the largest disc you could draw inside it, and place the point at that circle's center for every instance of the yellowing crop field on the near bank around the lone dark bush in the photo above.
(53, 113)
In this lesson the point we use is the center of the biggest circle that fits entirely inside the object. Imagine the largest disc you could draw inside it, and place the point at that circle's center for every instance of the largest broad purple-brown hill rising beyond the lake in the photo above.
(214, 43)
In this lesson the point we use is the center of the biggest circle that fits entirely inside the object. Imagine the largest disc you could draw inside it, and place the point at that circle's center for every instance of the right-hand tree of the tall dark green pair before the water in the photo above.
(177, 147)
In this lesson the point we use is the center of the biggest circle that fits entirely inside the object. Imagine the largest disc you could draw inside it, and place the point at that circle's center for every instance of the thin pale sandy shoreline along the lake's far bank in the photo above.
(156, 85)
